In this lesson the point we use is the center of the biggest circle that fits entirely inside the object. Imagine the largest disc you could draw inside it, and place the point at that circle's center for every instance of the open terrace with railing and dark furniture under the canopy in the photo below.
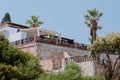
(64, 42)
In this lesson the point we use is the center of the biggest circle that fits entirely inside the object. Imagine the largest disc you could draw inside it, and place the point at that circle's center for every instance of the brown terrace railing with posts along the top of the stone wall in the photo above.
(54, 41)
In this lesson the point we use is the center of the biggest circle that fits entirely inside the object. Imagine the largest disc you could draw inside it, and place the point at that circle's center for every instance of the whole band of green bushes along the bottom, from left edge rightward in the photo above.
(18, 65)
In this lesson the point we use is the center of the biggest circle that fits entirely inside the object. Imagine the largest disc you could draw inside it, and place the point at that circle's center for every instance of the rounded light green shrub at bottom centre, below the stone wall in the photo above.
(72, 72)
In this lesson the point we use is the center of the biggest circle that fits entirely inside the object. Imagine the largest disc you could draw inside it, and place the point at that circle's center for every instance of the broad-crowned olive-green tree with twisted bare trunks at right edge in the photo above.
(109, 44)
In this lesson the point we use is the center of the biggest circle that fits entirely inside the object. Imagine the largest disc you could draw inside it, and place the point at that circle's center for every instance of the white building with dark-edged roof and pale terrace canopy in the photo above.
(14, 32)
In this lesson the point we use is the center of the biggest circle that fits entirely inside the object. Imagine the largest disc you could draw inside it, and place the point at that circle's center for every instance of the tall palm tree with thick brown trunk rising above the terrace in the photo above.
(92, 19)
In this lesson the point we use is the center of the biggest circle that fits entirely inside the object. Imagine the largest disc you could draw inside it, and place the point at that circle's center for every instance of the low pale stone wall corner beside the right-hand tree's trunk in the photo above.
(91, 68)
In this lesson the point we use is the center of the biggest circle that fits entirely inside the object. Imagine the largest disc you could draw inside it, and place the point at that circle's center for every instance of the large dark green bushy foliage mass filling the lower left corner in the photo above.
(23, 66)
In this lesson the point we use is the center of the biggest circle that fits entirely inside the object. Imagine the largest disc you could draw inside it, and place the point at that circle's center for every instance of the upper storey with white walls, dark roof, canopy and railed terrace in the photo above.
(24, 35)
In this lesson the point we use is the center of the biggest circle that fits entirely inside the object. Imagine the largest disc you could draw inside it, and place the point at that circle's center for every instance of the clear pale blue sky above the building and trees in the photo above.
(65, 16)
